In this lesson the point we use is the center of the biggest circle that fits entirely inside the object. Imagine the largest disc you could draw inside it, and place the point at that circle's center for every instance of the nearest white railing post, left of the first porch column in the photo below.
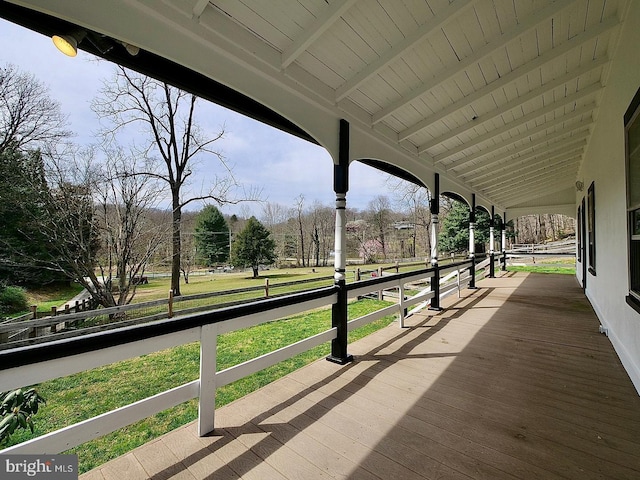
(208, 366)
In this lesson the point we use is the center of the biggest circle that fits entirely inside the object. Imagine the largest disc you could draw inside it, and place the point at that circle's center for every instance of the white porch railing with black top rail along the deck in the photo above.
(37, 363)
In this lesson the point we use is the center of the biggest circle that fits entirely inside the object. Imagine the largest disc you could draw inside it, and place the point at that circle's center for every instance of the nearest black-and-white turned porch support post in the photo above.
(339, 309)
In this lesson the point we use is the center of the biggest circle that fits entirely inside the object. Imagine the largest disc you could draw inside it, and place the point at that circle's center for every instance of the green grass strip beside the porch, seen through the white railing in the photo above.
(87, 394)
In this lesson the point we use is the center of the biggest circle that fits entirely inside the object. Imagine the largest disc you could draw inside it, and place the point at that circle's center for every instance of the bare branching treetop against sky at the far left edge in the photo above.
(29, 118)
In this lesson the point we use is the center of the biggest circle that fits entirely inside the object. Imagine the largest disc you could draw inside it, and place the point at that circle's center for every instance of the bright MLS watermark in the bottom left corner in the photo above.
(45, 467)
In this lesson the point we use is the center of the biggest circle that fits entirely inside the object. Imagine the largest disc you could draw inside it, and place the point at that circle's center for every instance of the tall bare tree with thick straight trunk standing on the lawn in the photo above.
(168, 117)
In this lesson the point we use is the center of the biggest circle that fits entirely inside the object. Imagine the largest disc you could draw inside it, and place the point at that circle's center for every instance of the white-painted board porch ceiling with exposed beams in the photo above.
(498, 96)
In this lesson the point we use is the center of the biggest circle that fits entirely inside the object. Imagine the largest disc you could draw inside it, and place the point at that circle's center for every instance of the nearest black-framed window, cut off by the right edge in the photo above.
(632, 138)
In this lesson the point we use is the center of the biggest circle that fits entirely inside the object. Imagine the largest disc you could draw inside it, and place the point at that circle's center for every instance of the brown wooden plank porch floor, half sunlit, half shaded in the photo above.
(513, 381)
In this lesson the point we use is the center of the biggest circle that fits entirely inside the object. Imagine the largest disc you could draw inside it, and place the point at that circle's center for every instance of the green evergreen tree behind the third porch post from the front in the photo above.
(454, 230)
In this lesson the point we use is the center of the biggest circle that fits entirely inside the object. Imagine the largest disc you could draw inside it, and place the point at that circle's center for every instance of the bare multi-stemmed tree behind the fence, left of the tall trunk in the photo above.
(97, 223)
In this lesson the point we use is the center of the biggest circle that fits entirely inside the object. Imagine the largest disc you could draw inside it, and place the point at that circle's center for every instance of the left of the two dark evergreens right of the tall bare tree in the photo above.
(212, 236)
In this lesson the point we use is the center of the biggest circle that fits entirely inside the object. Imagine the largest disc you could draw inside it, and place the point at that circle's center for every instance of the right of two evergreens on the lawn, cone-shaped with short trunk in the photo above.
(253, 246)
